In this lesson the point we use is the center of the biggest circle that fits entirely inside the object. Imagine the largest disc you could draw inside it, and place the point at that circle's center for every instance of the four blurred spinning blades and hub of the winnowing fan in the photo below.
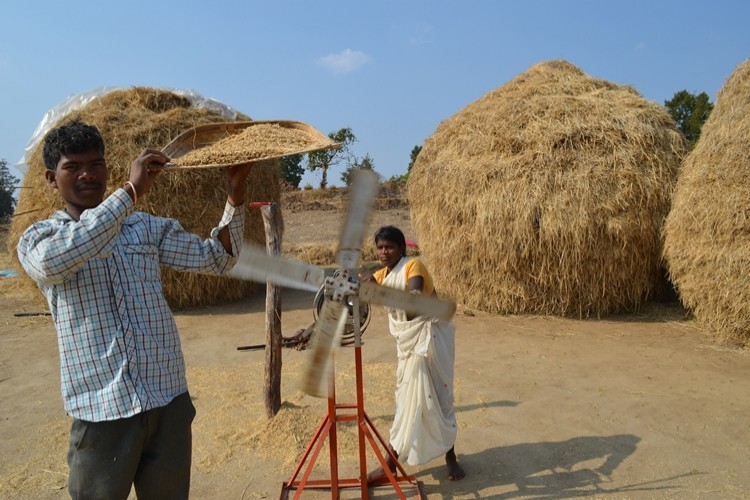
(254, 264)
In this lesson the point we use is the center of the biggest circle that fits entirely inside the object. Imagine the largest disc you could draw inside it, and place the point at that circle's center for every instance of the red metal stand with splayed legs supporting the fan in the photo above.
(366, 432)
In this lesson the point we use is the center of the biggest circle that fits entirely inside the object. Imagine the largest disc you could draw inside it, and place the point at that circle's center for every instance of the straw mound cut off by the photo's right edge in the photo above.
(707, 233)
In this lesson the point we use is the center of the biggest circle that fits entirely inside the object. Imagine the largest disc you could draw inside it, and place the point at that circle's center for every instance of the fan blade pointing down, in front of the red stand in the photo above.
(325, 339)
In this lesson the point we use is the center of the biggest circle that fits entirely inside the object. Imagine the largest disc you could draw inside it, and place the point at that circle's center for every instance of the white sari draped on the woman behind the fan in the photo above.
(424, 426)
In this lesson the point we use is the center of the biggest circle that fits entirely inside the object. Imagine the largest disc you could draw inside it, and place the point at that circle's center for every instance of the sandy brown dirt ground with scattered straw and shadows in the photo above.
(633, 406)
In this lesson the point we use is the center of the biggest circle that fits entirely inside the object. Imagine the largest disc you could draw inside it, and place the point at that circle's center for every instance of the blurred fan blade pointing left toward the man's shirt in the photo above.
(254, 264)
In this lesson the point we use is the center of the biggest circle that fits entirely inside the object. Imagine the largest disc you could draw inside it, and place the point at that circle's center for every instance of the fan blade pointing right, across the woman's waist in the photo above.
(425, 305)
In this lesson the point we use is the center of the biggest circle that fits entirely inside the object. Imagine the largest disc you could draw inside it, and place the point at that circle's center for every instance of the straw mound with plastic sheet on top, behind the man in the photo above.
(130, 120)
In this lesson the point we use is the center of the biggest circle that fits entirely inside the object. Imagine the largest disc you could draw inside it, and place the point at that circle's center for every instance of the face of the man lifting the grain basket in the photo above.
(81, 179)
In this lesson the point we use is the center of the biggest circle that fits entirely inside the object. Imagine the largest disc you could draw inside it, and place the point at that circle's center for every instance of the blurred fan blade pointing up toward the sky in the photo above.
(361, 200)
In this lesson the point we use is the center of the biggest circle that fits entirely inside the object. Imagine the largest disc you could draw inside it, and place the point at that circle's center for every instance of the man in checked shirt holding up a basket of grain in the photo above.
(122, 369)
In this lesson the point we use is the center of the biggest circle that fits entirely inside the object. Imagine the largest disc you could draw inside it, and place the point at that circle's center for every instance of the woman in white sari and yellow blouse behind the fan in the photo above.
(424, 426)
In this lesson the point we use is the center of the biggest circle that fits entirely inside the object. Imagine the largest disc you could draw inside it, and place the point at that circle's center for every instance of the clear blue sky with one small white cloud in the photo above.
(391, 70)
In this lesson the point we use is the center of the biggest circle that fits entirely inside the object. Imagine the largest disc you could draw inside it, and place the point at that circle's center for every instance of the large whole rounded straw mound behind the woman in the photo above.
(547, 195)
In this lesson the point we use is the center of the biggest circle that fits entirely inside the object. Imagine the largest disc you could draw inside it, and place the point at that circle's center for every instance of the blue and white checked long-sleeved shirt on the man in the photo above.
(120, 351)
